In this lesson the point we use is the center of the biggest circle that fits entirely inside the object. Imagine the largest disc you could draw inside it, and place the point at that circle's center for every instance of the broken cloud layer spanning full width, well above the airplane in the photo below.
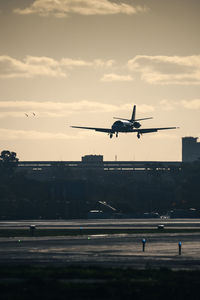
(175, 70)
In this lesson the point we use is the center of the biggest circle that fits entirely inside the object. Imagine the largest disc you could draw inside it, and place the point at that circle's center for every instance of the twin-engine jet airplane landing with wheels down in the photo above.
(126, 126)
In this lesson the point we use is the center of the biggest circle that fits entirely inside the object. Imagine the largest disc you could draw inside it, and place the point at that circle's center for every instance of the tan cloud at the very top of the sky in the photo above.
(63, 8)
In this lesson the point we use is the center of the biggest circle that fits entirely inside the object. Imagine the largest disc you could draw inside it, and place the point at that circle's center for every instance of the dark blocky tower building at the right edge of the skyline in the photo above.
(190, 149)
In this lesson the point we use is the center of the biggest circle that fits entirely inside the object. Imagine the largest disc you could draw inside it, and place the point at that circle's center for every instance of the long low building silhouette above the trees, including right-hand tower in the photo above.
(91, 165)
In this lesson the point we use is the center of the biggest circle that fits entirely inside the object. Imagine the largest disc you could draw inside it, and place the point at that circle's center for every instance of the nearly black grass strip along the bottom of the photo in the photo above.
(78, 282)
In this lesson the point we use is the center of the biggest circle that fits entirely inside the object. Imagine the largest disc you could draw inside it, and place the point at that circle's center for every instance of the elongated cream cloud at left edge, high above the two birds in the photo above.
(33, 66)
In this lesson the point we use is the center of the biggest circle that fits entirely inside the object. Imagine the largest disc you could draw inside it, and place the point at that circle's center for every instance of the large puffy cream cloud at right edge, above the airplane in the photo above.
(167, 69)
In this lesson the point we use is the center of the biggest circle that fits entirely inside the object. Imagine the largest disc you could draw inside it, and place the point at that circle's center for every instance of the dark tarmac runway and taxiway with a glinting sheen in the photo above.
(117, 250)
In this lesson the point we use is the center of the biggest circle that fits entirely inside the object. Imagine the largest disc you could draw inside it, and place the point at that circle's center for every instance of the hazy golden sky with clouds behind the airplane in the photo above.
(83, 62)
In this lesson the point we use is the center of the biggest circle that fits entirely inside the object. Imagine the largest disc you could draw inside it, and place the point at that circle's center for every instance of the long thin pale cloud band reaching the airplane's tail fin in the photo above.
(61, 109)
